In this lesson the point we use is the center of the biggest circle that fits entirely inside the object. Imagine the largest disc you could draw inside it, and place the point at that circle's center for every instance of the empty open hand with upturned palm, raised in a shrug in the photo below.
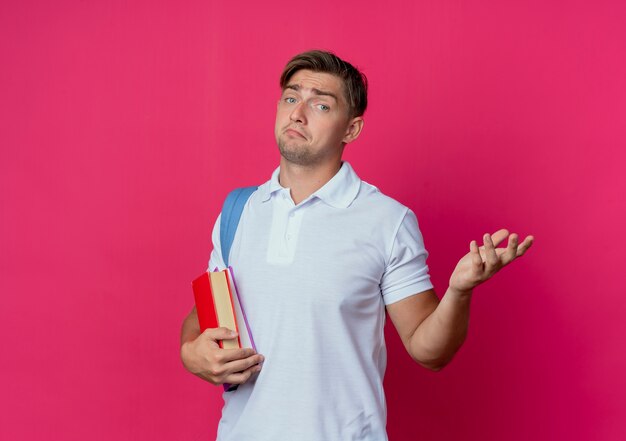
(480, 264)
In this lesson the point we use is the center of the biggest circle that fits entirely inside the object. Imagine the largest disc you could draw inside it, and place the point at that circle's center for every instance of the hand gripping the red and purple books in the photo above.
(204, 357)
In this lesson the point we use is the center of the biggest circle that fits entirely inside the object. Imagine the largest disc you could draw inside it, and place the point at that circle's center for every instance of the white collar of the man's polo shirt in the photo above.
(339, 192)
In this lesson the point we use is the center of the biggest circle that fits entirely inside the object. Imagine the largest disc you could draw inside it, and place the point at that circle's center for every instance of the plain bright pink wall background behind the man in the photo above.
(123, 126)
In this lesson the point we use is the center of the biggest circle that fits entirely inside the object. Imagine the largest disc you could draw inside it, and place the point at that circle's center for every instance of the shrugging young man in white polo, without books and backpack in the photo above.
(319, 255)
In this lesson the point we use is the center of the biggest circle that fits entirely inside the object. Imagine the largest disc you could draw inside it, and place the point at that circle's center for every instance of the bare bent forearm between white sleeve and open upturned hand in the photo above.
(435, 341)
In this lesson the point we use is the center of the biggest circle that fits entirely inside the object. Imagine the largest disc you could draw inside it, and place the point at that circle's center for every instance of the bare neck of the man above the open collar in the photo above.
(303, 181)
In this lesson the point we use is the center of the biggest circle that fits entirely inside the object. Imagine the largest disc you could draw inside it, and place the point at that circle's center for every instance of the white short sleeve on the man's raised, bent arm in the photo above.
(406, 273)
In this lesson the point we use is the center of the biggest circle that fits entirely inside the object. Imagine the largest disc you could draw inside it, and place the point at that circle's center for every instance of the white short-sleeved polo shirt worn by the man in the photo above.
(314, 279)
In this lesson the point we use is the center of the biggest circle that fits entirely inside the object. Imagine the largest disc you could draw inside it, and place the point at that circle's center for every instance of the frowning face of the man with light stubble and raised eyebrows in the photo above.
(312, 119)
